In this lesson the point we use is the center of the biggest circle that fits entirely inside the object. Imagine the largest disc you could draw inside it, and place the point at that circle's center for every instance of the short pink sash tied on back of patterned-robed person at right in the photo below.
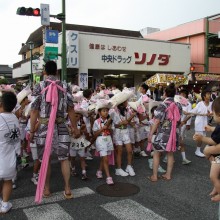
(173, 114)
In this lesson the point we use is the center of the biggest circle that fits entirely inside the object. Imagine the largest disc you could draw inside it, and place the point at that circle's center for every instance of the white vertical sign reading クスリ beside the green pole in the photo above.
(72, 45)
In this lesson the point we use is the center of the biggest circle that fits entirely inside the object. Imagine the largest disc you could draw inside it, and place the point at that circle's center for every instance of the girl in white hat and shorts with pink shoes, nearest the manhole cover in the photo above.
(104, 145)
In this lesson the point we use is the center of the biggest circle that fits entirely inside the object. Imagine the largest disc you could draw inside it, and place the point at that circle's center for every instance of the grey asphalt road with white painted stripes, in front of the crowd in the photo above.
(185, 197)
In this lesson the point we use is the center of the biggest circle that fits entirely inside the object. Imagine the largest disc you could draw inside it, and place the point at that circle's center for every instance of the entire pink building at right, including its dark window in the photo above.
(204, 37)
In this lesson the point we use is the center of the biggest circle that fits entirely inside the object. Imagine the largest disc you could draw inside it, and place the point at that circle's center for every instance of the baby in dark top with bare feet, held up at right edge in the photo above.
(213, 152)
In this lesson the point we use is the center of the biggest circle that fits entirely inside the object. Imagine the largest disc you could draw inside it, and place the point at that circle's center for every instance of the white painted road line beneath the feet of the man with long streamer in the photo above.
(58, 196)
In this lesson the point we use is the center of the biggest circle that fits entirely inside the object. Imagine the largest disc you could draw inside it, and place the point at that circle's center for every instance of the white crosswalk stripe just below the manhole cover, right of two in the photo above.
(130, 210)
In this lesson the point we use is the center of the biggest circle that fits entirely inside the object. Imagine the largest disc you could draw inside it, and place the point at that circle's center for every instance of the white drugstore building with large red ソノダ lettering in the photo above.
(95, 57)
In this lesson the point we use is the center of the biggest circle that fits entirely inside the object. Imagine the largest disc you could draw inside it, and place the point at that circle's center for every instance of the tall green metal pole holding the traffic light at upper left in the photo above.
(63, 75)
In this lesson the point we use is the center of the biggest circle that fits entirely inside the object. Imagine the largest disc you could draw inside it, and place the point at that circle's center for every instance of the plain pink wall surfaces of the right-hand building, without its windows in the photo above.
(194, 34)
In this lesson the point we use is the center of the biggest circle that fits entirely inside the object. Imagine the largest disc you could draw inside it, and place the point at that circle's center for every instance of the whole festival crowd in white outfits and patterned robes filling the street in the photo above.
(59, 118)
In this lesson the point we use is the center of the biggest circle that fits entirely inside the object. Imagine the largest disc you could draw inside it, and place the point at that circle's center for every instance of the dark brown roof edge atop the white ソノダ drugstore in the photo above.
(37, 36)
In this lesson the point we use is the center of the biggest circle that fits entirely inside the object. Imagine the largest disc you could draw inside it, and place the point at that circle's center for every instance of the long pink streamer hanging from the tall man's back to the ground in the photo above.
(52, 97)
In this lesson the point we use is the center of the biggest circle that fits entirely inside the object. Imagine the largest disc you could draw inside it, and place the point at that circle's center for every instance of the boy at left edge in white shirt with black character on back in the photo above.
(9, 146)
